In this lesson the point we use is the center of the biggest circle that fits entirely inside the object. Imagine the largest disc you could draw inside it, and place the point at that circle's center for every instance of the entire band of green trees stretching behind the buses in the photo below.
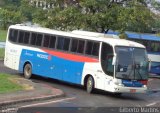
(93, 15)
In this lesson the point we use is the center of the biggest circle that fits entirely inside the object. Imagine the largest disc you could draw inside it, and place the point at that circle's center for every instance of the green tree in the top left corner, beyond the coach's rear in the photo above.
(9, 13)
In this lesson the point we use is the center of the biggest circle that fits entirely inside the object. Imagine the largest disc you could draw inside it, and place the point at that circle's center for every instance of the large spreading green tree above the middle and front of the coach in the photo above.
(98, 15)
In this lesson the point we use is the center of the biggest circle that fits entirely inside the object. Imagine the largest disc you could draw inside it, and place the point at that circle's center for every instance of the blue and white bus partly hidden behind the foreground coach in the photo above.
(152, 44)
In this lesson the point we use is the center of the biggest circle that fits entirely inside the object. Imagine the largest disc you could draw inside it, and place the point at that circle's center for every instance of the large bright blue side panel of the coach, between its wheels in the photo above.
(46, 65)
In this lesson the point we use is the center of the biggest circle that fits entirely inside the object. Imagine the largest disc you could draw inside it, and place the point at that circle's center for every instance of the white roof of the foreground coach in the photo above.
(110, 39)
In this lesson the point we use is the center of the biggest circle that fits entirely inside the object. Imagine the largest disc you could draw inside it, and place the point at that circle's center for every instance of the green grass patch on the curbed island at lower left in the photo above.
(7, 85)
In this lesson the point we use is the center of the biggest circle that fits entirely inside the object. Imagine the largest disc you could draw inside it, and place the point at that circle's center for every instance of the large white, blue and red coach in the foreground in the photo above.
(94, 61)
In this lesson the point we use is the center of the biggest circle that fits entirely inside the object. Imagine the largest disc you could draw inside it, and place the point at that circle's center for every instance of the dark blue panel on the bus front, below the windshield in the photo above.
(129, 83)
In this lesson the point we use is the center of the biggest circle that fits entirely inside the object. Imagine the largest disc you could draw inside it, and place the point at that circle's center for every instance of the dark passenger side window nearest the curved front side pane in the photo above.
(92, 48)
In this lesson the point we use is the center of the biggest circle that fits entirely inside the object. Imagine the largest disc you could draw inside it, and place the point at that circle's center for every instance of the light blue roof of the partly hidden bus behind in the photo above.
(142, 36)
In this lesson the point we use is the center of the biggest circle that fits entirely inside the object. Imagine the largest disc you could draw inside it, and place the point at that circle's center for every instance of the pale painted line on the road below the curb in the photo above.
(37, 104)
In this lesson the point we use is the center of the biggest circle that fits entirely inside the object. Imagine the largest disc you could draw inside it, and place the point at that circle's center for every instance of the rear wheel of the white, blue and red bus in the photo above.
(27, 71)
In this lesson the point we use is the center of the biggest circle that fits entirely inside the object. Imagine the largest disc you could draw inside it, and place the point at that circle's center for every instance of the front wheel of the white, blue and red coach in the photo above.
(90, 84)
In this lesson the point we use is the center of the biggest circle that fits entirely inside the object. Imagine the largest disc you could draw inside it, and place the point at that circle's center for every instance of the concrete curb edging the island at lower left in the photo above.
(60, 94)
